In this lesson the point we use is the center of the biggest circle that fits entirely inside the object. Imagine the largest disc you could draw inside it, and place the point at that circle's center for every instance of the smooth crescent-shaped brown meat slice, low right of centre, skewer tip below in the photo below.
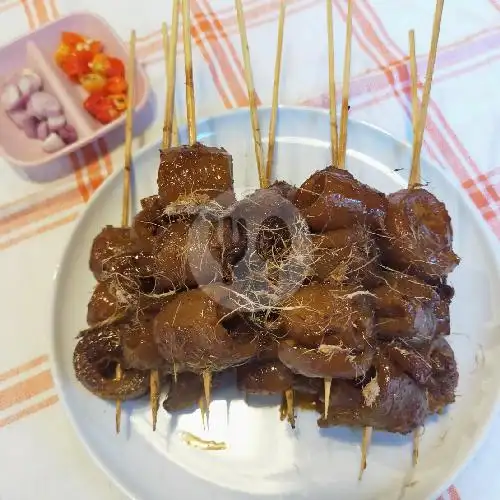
(327, 361)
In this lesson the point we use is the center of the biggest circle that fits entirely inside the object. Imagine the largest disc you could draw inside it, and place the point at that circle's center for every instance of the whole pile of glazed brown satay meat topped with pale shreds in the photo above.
(288, 287)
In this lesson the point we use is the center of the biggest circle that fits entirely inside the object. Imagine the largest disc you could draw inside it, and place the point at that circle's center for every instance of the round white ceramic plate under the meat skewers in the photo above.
(264, 457)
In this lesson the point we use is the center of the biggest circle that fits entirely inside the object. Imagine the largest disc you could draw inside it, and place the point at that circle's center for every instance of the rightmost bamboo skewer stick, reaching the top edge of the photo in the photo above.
(428, 84)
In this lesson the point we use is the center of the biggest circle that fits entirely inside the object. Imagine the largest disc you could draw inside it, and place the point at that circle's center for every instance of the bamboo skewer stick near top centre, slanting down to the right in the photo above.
(252, 96)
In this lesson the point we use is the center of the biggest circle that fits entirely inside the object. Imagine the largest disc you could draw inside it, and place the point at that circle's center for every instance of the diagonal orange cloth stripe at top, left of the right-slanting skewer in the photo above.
(234, 77)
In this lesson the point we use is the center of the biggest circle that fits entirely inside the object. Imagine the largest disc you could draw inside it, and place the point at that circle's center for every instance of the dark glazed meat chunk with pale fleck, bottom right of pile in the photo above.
(391, 401)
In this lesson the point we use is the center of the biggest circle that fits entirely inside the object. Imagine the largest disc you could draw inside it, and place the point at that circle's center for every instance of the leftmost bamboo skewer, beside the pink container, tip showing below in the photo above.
(126, 178)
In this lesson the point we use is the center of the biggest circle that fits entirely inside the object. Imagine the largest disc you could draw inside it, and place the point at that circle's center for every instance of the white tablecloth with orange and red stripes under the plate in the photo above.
(39, 454)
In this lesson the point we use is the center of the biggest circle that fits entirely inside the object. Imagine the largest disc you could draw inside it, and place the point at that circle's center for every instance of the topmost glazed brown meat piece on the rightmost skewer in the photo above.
(418, 234)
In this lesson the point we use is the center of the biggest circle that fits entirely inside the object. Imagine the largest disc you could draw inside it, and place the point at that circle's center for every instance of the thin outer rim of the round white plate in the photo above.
(56, 279)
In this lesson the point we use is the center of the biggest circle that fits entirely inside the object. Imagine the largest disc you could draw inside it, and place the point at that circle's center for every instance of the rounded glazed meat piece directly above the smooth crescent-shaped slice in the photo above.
(317, 311)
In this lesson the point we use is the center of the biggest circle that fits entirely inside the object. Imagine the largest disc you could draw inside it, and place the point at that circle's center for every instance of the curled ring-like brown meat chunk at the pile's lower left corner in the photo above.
(95, 357)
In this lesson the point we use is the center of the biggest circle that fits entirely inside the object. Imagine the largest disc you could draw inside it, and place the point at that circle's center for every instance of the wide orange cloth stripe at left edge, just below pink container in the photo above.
(39, 211)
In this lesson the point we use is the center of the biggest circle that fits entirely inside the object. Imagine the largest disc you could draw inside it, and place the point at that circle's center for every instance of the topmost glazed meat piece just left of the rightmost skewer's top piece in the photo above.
(332, 199)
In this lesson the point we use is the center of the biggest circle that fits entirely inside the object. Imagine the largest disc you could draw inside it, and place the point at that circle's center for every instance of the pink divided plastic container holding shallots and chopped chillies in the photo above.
(36, 51)
